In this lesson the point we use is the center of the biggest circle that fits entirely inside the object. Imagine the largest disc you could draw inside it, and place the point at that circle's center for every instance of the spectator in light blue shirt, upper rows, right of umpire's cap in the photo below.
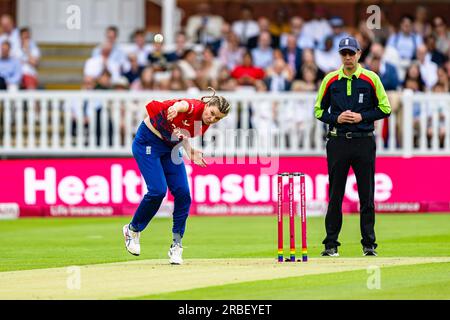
(406, 41)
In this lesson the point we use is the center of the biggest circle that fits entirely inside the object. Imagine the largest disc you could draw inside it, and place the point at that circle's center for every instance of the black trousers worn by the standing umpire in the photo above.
(359, 153)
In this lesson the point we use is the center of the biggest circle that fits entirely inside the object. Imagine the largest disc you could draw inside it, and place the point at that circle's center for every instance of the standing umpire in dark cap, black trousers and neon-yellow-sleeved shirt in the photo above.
(349, 100)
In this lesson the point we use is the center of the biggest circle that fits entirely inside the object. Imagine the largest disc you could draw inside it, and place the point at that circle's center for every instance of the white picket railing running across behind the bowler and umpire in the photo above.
(57, 123)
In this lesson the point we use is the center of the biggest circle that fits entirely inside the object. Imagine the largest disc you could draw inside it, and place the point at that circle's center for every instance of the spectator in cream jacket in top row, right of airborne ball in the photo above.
(204, 27)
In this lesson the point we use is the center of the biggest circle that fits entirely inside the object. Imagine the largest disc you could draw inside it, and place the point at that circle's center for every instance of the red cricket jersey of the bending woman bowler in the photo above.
(187, 123)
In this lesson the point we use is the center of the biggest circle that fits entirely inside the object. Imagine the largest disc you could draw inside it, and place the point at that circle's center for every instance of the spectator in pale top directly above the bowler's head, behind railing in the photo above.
(209, 70)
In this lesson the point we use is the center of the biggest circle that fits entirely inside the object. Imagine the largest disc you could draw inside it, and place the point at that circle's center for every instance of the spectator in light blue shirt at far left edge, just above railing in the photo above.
(10, 67)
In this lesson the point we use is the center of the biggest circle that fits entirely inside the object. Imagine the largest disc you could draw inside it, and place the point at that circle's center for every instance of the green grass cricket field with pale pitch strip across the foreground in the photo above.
(53, 244)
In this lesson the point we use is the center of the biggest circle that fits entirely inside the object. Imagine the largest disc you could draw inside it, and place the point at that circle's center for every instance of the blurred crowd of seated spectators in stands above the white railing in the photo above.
(274, 55)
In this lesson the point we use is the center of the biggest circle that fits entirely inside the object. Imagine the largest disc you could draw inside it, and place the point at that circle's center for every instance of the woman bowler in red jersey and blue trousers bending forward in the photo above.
(166, 127)
